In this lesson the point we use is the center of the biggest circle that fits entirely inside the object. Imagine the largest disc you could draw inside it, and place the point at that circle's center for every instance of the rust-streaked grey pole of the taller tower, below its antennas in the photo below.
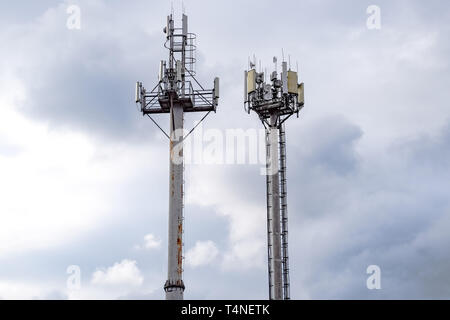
(174, 286)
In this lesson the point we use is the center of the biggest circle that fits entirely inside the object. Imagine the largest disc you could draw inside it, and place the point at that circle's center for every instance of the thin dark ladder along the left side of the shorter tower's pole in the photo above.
(269, 220)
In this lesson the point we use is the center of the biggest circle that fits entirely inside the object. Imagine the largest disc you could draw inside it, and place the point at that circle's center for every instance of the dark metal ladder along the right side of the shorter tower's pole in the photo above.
(284, 214)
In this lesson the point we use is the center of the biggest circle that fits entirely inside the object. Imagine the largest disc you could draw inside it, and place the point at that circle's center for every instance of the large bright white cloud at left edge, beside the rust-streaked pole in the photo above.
(66, 180)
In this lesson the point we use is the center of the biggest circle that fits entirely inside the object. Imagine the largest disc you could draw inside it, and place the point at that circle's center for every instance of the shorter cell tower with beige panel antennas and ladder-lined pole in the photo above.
(274, 103)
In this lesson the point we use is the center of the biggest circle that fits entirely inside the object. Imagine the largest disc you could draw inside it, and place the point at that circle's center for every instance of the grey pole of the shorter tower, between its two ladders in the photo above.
(277, 276)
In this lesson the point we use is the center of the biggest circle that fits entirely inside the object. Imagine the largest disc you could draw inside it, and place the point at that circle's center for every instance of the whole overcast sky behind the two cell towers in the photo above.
(84, 177)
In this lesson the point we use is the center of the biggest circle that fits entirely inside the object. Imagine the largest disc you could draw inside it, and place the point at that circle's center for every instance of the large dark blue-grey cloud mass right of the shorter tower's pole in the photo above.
(391, 212)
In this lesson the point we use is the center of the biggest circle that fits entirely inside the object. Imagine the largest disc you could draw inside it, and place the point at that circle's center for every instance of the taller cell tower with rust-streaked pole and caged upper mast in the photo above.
(176, 94)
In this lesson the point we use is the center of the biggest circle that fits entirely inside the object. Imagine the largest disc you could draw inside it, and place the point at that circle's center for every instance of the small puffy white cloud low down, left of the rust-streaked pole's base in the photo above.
(124, 273)
